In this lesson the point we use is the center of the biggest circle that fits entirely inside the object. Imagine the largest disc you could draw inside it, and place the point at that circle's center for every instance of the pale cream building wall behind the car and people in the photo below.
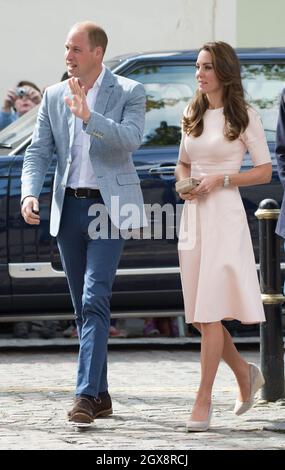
(33, 32)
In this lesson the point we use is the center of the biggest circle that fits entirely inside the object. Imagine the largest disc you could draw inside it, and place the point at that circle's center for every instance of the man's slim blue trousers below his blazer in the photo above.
(90, 266)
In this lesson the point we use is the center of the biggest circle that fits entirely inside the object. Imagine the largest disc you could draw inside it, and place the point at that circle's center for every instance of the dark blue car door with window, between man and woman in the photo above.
(152, 262)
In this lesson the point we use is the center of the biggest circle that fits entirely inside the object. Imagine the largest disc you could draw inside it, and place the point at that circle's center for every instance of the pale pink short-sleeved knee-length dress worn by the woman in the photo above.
(218, 271)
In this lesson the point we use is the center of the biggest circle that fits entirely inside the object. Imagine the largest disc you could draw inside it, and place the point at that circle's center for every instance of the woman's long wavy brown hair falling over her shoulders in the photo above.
(227, 69)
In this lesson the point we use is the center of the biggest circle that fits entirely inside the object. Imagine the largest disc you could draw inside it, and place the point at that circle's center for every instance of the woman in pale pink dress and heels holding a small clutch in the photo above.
(218, 271)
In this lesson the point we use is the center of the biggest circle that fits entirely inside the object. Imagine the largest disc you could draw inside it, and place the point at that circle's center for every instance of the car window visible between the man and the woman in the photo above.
(168, 89)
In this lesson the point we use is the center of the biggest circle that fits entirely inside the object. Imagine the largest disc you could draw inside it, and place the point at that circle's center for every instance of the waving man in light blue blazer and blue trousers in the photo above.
(93, 122)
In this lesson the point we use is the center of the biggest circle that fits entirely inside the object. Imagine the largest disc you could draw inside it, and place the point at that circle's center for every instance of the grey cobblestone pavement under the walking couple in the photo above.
(152, 392)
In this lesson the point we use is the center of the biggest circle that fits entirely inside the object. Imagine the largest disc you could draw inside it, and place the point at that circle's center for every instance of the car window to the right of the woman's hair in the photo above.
(263, 84)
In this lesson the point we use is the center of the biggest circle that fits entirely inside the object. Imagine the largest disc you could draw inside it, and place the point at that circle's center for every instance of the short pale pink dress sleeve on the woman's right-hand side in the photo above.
(255, 141)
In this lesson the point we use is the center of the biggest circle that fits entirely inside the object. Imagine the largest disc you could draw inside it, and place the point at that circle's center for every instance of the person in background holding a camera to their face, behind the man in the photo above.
(19, 101)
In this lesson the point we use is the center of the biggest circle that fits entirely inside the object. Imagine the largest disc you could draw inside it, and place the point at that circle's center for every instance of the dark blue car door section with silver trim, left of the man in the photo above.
(35, 284)
